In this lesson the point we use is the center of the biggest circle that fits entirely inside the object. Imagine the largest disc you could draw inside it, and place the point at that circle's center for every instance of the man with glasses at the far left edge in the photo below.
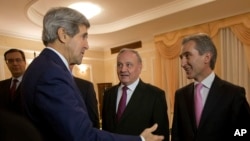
(10, 99)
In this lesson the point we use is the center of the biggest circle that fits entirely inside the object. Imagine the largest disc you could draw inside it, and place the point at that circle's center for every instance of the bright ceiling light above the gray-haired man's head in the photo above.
(86, 8)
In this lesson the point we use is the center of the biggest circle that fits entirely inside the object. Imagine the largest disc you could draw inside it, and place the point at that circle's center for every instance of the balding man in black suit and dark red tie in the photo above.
(145, 103)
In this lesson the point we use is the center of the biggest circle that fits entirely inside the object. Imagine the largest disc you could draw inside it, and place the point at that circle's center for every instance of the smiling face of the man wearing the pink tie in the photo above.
(195, 65)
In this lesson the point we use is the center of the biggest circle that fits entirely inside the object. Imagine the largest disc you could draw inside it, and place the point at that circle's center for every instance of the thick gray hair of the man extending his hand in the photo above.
(67, 18)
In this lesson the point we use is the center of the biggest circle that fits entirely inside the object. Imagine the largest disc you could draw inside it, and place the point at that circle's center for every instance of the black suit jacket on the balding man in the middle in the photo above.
(146, 107)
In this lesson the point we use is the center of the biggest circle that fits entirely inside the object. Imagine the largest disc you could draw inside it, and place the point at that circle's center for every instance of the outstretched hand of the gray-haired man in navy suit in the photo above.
(148, 136)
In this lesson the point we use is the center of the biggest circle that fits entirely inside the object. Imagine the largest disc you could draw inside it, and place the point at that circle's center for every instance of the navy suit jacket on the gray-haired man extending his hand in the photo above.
(53, 103)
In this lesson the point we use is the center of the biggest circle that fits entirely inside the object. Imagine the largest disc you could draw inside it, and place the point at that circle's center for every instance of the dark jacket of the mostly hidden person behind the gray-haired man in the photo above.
(89, 96)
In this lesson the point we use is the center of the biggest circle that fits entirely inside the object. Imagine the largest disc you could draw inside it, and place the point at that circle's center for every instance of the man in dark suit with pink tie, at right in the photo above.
(224, 110)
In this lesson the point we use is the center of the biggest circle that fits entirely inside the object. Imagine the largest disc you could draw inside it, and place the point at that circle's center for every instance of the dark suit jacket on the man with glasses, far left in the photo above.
(12, 105)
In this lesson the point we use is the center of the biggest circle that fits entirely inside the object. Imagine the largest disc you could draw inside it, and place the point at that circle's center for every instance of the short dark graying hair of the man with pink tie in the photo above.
(204, 44)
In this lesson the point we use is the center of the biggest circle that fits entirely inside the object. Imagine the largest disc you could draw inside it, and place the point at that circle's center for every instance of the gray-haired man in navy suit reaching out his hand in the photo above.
(51, 98)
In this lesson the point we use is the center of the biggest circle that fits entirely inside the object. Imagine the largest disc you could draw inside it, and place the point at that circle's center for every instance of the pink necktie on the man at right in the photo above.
(198, 103)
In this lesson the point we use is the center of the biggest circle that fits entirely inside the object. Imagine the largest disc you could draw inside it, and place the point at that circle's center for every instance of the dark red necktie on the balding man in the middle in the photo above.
(122, 103)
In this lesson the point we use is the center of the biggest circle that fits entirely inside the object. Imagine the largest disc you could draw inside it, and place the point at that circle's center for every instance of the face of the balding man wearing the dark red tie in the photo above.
(128, 67)
